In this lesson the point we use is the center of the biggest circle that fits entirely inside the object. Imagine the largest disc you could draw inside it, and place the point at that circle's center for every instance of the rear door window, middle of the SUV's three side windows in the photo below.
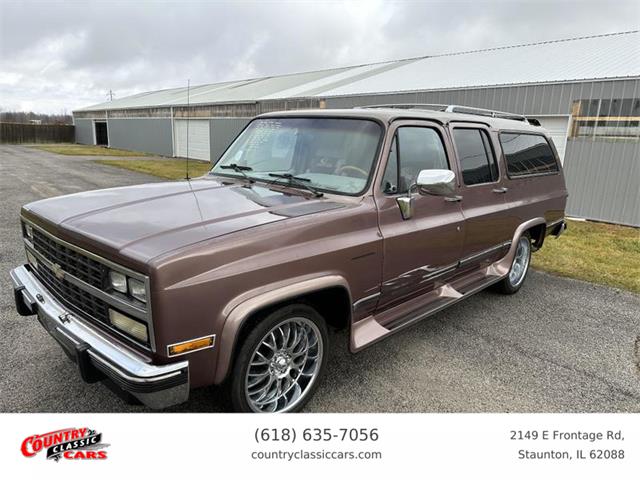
(477, 162)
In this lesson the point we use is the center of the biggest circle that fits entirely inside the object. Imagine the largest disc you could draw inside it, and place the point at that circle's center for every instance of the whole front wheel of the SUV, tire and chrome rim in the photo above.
(280, 362)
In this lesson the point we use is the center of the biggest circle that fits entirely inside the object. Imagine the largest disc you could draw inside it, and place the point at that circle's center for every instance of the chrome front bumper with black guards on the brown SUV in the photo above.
(157, 386)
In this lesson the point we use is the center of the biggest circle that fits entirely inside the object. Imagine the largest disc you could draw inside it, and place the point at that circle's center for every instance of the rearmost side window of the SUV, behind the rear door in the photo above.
(527, 154)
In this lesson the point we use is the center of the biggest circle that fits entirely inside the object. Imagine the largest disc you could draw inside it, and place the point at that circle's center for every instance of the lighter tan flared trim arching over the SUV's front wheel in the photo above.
(242, 307)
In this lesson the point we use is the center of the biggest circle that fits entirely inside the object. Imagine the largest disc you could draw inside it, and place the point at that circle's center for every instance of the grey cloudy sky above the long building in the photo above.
(59, 55)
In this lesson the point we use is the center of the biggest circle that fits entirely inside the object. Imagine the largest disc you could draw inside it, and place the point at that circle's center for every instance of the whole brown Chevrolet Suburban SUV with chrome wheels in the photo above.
(368, 219)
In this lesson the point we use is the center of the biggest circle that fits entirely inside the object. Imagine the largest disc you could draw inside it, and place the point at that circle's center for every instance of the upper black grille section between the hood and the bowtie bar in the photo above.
(72, 262)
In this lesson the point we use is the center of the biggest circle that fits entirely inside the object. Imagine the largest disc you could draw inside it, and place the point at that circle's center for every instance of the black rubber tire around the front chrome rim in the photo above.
(237, 382)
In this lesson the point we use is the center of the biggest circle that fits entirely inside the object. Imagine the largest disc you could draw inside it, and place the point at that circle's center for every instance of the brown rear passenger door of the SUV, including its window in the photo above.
(482, 187)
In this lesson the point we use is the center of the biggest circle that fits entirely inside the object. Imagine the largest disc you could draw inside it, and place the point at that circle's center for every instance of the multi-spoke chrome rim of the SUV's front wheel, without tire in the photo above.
(284, 366)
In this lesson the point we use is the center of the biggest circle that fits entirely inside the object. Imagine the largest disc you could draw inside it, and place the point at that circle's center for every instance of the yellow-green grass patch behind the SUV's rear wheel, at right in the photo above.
(595, 252)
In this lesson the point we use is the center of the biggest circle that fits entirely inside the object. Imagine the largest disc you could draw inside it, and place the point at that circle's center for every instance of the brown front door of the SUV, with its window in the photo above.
(422, 251)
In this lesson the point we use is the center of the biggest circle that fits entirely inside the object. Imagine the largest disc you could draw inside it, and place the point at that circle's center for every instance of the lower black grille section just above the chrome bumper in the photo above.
(73, 297)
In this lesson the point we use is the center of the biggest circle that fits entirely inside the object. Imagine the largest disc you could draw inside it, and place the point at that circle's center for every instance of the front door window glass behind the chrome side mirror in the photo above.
(413, 149)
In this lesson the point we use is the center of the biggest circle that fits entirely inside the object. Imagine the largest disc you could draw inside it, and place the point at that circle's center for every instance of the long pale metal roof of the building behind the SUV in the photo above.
(586, 58)
